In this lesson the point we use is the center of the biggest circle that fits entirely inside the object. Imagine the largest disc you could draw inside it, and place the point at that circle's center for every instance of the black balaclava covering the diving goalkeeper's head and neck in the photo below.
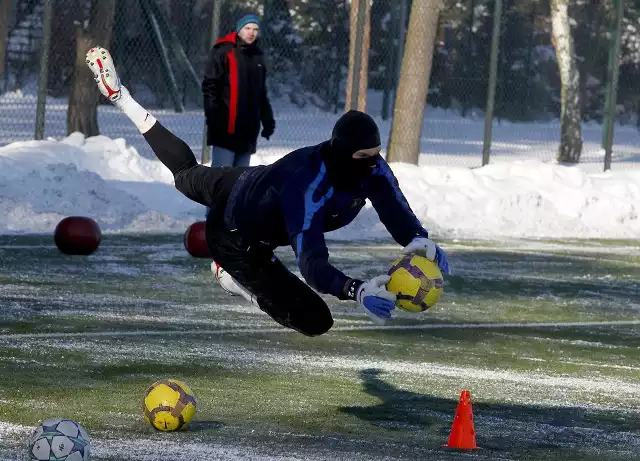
(354, 131)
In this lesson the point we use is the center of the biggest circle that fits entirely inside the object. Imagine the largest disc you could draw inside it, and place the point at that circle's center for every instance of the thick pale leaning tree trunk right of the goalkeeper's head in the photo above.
(411, 97)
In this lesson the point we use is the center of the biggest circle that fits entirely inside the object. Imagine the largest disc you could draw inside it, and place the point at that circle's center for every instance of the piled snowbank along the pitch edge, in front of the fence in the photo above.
(43, 181)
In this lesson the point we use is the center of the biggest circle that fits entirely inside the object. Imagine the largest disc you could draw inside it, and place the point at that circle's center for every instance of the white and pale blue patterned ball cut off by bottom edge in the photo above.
(60, 440)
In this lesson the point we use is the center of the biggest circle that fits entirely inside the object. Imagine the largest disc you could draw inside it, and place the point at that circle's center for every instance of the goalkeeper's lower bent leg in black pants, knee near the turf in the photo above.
(267, 282)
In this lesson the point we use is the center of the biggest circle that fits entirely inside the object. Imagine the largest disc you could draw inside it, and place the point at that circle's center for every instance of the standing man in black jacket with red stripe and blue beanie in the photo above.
(235, 95)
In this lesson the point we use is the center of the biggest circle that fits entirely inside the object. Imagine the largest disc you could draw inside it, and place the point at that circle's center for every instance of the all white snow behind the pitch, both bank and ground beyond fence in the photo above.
(522, 193)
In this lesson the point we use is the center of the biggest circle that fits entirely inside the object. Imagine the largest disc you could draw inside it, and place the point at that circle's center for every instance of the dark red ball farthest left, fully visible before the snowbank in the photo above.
(77, 235)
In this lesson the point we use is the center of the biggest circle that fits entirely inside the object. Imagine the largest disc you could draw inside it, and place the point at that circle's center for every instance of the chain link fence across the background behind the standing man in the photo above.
(306, 45)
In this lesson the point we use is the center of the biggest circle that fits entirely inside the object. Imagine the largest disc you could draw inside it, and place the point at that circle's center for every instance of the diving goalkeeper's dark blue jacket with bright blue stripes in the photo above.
(292, 202)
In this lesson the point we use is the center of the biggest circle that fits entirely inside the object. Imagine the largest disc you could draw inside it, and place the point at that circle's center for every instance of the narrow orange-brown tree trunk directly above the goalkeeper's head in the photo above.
(364, 53)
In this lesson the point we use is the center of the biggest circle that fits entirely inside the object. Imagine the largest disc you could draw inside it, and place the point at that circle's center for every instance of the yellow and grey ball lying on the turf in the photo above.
(169, 405)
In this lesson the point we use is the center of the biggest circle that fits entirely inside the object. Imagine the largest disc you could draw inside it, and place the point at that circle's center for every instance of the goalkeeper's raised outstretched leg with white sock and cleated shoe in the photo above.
(200, 183)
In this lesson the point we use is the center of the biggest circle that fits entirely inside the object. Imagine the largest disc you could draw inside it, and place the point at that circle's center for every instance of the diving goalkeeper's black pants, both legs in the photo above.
(282, 295)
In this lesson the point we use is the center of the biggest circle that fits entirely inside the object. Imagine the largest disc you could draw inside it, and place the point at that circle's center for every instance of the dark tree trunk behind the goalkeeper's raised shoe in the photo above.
(83, 100)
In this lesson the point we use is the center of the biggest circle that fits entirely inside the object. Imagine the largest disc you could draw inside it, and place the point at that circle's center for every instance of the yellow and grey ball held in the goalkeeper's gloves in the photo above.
(416, 281)
